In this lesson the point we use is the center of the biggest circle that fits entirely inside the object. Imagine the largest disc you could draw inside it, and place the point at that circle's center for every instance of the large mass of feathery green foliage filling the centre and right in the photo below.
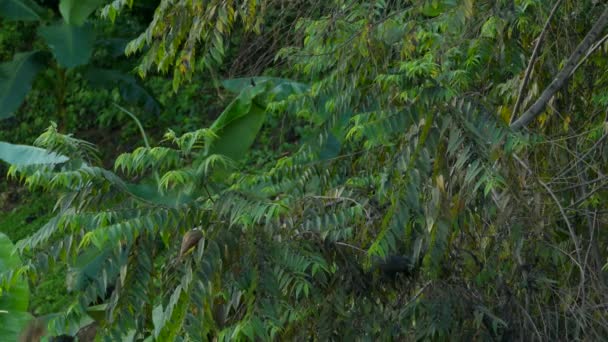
(397, 148)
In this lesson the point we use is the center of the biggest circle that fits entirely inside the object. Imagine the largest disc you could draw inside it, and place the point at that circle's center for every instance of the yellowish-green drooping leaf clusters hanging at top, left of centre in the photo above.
(181, 26)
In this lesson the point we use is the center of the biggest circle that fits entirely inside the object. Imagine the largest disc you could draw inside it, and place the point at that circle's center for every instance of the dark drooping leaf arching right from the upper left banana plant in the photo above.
(130, 88)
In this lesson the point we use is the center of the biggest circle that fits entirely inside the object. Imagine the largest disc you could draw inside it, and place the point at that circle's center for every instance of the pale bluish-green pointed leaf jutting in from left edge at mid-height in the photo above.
(23, 155)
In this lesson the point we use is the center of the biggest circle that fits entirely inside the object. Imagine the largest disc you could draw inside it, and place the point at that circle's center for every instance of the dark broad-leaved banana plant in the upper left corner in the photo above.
(71, 41)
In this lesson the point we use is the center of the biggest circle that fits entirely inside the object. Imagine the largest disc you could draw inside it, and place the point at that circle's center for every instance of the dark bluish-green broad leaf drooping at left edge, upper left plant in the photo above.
(16, 79)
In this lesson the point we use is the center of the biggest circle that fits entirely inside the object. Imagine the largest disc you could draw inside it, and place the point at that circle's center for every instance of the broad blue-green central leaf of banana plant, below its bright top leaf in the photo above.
(71, 45)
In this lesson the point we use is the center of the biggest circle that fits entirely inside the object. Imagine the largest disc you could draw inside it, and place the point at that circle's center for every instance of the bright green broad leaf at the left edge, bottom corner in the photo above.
(14, 300)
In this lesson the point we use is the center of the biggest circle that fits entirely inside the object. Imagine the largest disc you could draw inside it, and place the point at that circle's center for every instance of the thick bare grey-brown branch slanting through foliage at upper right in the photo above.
(561, 78)
